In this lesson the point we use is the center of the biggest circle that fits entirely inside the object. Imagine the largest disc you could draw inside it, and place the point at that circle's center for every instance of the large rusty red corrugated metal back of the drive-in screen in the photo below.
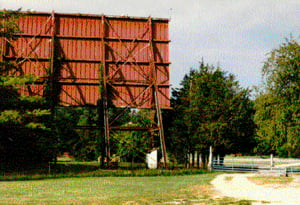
(78, 52)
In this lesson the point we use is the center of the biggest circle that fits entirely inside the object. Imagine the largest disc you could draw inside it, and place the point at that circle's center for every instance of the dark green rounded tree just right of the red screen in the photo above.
(213, 111)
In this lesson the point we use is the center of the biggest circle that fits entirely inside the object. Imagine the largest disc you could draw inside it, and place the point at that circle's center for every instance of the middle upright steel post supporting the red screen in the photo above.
(104, 94)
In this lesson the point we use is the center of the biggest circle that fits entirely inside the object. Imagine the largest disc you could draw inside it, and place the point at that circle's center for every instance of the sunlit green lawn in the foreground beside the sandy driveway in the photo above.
(112, 190)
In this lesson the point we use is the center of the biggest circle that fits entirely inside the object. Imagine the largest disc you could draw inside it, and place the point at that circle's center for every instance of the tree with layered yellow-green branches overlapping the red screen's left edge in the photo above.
(25, 135)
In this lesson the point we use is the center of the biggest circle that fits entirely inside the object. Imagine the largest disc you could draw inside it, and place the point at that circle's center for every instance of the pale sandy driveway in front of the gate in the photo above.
(241, 188)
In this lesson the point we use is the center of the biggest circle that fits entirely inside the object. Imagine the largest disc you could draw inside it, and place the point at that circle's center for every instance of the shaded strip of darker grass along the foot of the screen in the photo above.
(88, 169)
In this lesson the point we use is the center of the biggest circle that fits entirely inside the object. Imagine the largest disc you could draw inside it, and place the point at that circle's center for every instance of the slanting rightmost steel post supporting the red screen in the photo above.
(155, 95)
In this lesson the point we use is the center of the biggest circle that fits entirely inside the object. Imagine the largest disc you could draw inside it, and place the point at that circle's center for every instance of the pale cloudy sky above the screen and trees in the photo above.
(233, 34)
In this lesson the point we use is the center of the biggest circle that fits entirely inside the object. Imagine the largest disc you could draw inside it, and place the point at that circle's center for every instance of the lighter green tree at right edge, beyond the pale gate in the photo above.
(278, 105)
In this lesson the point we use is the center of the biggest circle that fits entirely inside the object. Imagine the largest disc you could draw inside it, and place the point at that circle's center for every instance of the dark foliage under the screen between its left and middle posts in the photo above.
(77, 131)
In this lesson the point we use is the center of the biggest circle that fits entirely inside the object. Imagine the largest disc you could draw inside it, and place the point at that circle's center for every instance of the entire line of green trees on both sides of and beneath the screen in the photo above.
(209, 109)
